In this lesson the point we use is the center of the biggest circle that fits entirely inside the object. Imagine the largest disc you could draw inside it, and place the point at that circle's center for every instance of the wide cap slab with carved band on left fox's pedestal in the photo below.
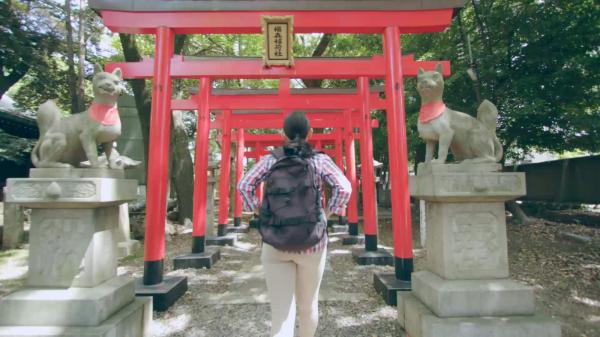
(69, 192)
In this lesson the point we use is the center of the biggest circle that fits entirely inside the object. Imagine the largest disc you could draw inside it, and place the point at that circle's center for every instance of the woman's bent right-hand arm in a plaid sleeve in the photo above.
(341, 190)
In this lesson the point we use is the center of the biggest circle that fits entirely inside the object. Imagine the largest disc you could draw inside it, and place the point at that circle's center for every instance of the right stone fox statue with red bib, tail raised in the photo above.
(470, 140)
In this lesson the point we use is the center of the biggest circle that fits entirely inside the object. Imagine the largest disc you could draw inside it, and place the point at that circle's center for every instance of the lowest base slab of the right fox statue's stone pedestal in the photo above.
(421, 322)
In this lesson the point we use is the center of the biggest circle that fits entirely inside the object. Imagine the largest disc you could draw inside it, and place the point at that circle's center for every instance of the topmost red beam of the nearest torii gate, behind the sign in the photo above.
(249, 22)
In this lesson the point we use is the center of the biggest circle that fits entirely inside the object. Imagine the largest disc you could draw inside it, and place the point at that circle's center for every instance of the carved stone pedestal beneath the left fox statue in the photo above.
(72, 288)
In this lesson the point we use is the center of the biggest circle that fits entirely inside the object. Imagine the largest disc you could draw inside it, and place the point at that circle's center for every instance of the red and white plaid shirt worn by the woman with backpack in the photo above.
(327, 171)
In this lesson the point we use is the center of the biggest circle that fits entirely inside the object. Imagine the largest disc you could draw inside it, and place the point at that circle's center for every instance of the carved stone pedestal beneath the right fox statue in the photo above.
(465, 290)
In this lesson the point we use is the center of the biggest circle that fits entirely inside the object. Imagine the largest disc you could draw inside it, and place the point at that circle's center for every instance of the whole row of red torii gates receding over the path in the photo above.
(344, 112)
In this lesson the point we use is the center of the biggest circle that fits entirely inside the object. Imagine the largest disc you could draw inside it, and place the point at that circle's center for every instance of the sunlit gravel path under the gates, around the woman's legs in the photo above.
(230, 299)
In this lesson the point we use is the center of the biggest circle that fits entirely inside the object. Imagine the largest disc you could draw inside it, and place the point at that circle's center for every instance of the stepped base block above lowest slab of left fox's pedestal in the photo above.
(67, 307)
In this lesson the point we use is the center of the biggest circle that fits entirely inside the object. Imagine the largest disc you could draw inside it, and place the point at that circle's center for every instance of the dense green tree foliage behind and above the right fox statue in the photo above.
(537, 60)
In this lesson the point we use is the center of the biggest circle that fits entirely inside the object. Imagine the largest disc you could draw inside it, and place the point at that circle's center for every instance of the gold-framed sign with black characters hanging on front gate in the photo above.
(278, 33)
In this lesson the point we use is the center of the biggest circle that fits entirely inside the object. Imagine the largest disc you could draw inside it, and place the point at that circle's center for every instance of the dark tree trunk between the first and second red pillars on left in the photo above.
(181, 168)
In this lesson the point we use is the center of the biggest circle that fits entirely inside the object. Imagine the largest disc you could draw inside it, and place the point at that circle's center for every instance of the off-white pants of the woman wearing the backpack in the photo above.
(293, 278)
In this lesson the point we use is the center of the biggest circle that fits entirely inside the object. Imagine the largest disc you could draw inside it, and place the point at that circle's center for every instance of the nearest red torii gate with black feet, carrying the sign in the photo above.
(389, 18)
